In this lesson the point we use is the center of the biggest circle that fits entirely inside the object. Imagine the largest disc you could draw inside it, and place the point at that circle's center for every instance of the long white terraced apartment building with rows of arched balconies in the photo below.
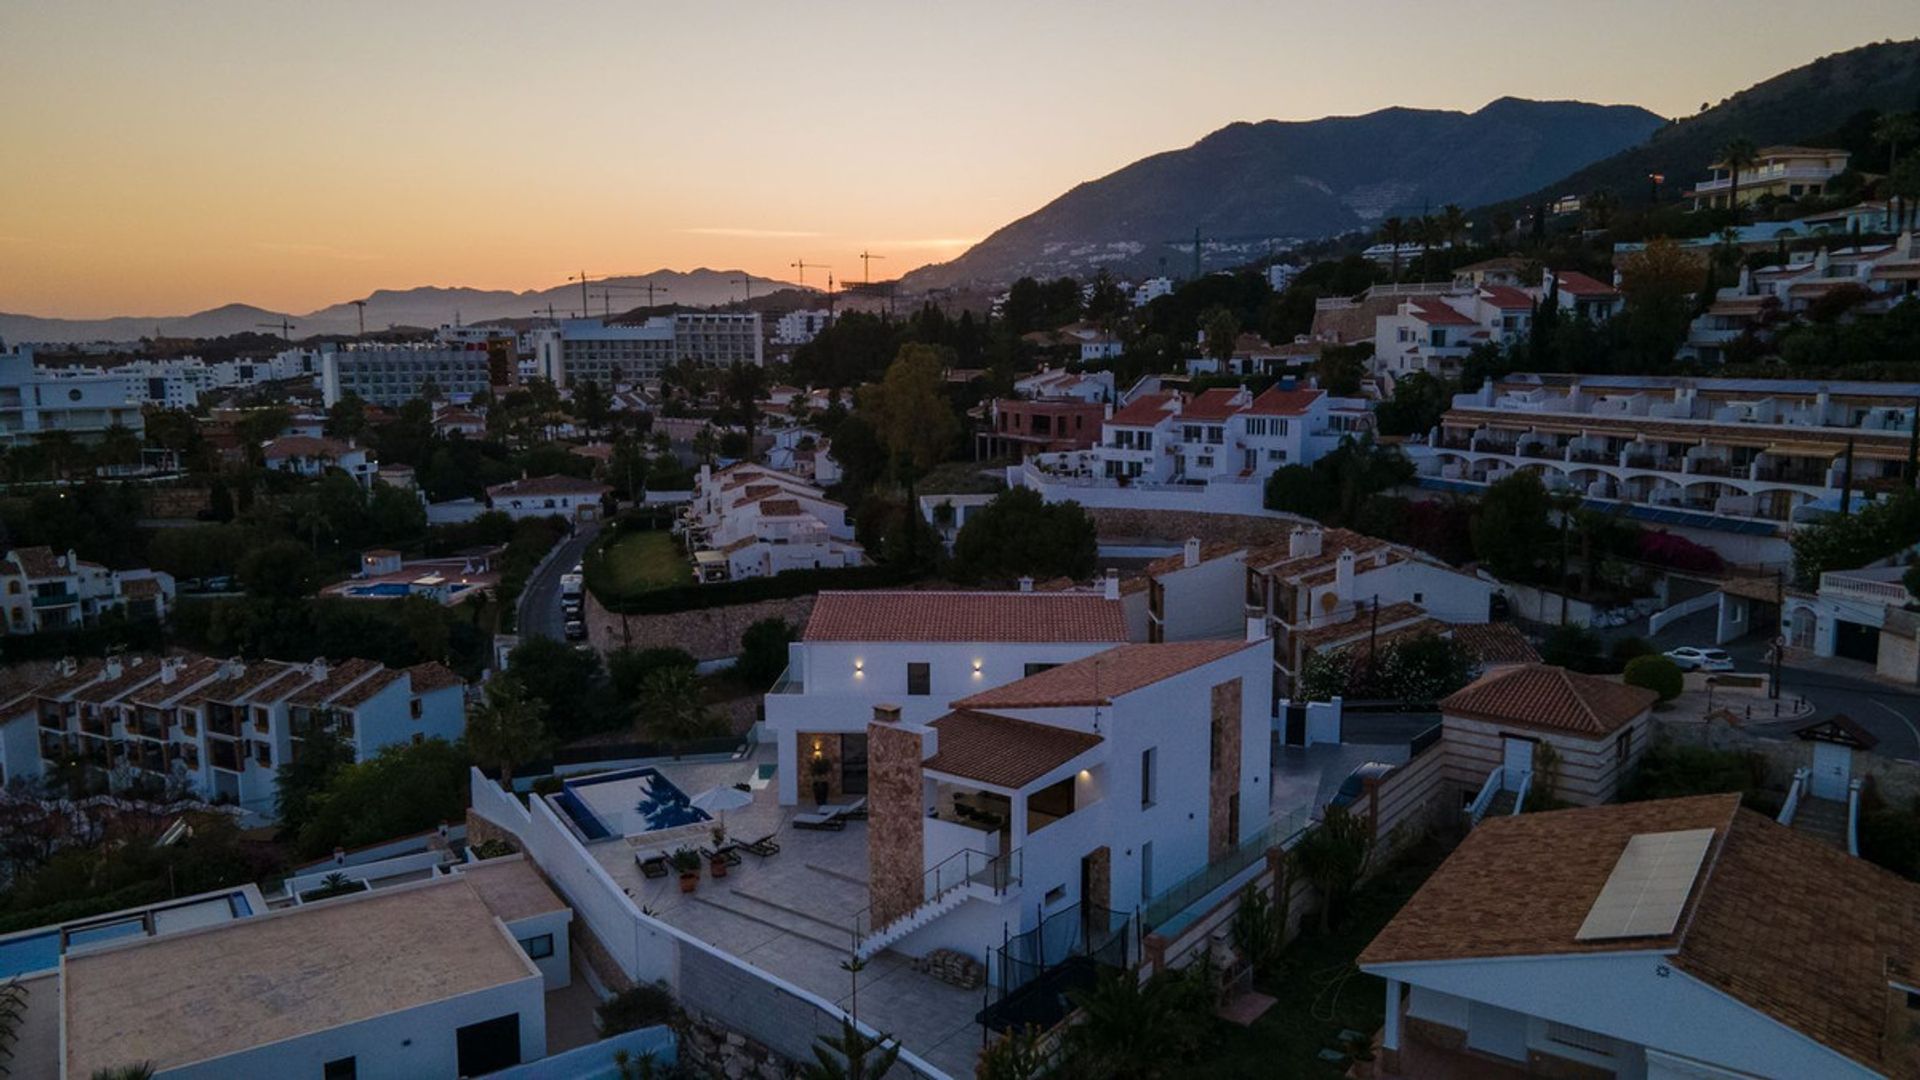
(1727, 462)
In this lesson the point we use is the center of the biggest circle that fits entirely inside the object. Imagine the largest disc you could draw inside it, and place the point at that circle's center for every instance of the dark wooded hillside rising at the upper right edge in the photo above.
(1813, 103)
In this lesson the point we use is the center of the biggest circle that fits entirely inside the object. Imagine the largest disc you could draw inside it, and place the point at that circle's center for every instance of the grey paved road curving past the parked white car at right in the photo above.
(1890, 712)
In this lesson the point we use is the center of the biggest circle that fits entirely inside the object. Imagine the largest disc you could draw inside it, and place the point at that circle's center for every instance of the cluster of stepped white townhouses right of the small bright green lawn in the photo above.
(752, 522)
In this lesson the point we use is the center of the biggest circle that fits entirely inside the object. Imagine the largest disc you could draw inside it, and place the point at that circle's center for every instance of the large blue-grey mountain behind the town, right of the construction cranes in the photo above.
(1253, 185)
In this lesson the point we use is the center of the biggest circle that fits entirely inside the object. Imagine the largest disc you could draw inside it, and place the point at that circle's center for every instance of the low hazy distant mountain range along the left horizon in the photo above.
(425, 307)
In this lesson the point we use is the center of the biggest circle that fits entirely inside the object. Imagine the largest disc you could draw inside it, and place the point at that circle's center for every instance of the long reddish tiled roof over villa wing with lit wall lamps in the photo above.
(965, 618)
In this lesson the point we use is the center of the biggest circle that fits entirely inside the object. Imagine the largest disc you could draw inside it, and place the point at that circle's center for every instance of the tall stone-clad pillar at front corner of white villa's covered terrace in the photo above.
(896, 827)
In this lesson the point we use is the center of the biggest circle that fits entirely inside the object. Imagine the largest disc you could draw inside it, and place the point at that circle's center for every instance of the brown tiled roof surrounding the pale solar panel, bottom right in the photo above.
(1775, 920)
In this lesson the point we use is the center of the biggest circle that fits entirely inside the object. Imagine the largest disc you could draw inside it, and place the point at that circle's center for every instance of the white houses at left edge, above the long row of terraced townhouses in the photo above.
(47, 593)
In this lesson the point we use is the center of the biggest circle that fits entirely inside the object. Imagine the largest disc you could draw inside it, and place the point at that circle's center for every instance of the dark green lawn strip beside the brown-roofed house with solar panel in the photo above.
(1318, 989)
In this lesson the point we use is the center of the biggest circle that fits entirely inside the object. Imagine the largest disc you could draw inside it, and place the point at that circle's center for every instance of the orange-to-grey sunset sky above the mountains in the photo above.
(166, 159)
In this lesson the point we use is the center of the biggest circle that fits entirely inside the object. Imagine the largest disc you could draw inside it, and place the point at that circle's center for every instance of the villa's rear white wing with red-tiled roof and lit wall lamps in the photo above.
(919, 650)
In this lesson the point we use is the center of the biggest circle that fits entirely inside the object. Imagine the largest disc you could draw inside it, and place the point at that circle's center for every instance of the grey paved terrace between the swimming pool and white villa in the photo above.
(792, 916)
